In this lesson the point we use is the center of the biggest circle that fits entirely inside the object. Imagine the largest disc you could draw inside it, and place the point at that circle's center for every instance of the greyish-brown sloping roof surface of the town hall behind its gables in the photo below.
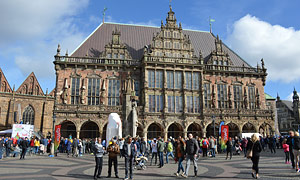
(136, 37)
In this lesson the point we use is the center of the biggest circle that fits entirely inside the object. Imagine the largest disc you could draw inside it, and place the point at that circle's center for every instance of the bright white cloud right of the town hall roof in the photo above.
(254, 39)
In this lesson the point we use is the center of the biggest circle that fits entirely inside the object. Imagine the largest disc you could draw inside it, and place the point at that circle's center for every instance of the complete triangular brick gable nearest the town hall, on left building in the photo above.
(31, 86)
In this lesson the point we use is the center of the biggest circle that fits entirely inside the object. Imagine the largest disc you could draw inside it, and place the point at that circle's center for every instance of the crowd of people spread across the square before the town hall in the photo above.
(156, 150)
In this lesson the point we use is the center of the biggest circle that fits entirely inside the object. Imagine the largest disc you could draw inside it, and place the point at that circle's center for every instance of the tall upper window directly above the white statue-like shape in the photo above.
(114, 92)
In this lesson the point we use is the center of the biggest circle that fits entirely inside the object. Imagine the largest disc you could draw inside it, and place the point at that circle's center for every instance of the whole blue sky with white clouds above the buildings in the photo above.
(255, 29)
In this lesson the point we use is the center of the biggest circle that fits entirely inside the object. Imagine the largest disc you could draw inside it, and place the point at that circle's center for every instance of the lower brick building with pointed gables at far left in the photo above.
(28, 104)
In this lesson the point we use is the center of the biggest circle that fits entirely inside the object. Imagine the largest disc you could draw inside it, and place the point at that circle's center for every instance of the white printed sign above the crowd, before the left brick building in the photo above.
(22, 131)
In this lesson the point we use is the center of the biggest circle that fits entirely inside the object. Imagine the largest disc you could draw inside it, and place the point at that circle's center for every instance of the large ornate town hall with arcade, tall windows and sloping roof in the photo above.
(177, 81)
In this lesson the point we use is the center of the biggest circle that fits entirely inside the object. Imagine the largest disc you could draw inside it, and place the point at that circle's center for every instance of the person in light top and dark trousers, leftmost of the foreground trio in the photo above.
(98, 152)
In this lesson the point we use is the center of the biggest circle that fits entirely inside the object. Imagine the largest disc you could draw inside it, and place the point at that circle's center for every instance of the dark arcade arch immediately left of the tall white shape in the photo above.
(89, 129)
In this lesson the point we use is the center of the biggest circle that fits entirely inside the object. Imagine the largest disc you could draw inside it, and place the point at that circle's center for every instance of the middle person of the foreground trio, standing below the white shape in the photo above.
(113, 151)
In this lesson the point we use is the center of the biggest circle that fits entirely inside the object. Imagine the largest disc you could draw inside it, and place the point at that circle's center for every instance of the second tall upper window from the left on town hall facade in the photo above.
(93, 91)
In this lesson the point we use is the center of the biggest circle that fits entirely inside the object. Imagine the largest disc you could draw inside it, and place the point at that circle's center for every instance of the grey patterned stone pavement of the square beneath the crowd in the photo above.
(41, 167)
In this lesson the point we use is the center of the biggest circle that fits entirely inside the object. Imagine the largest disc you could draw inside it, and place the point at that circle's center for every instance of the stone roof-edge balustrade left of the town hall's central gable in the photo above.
(100, 60)
